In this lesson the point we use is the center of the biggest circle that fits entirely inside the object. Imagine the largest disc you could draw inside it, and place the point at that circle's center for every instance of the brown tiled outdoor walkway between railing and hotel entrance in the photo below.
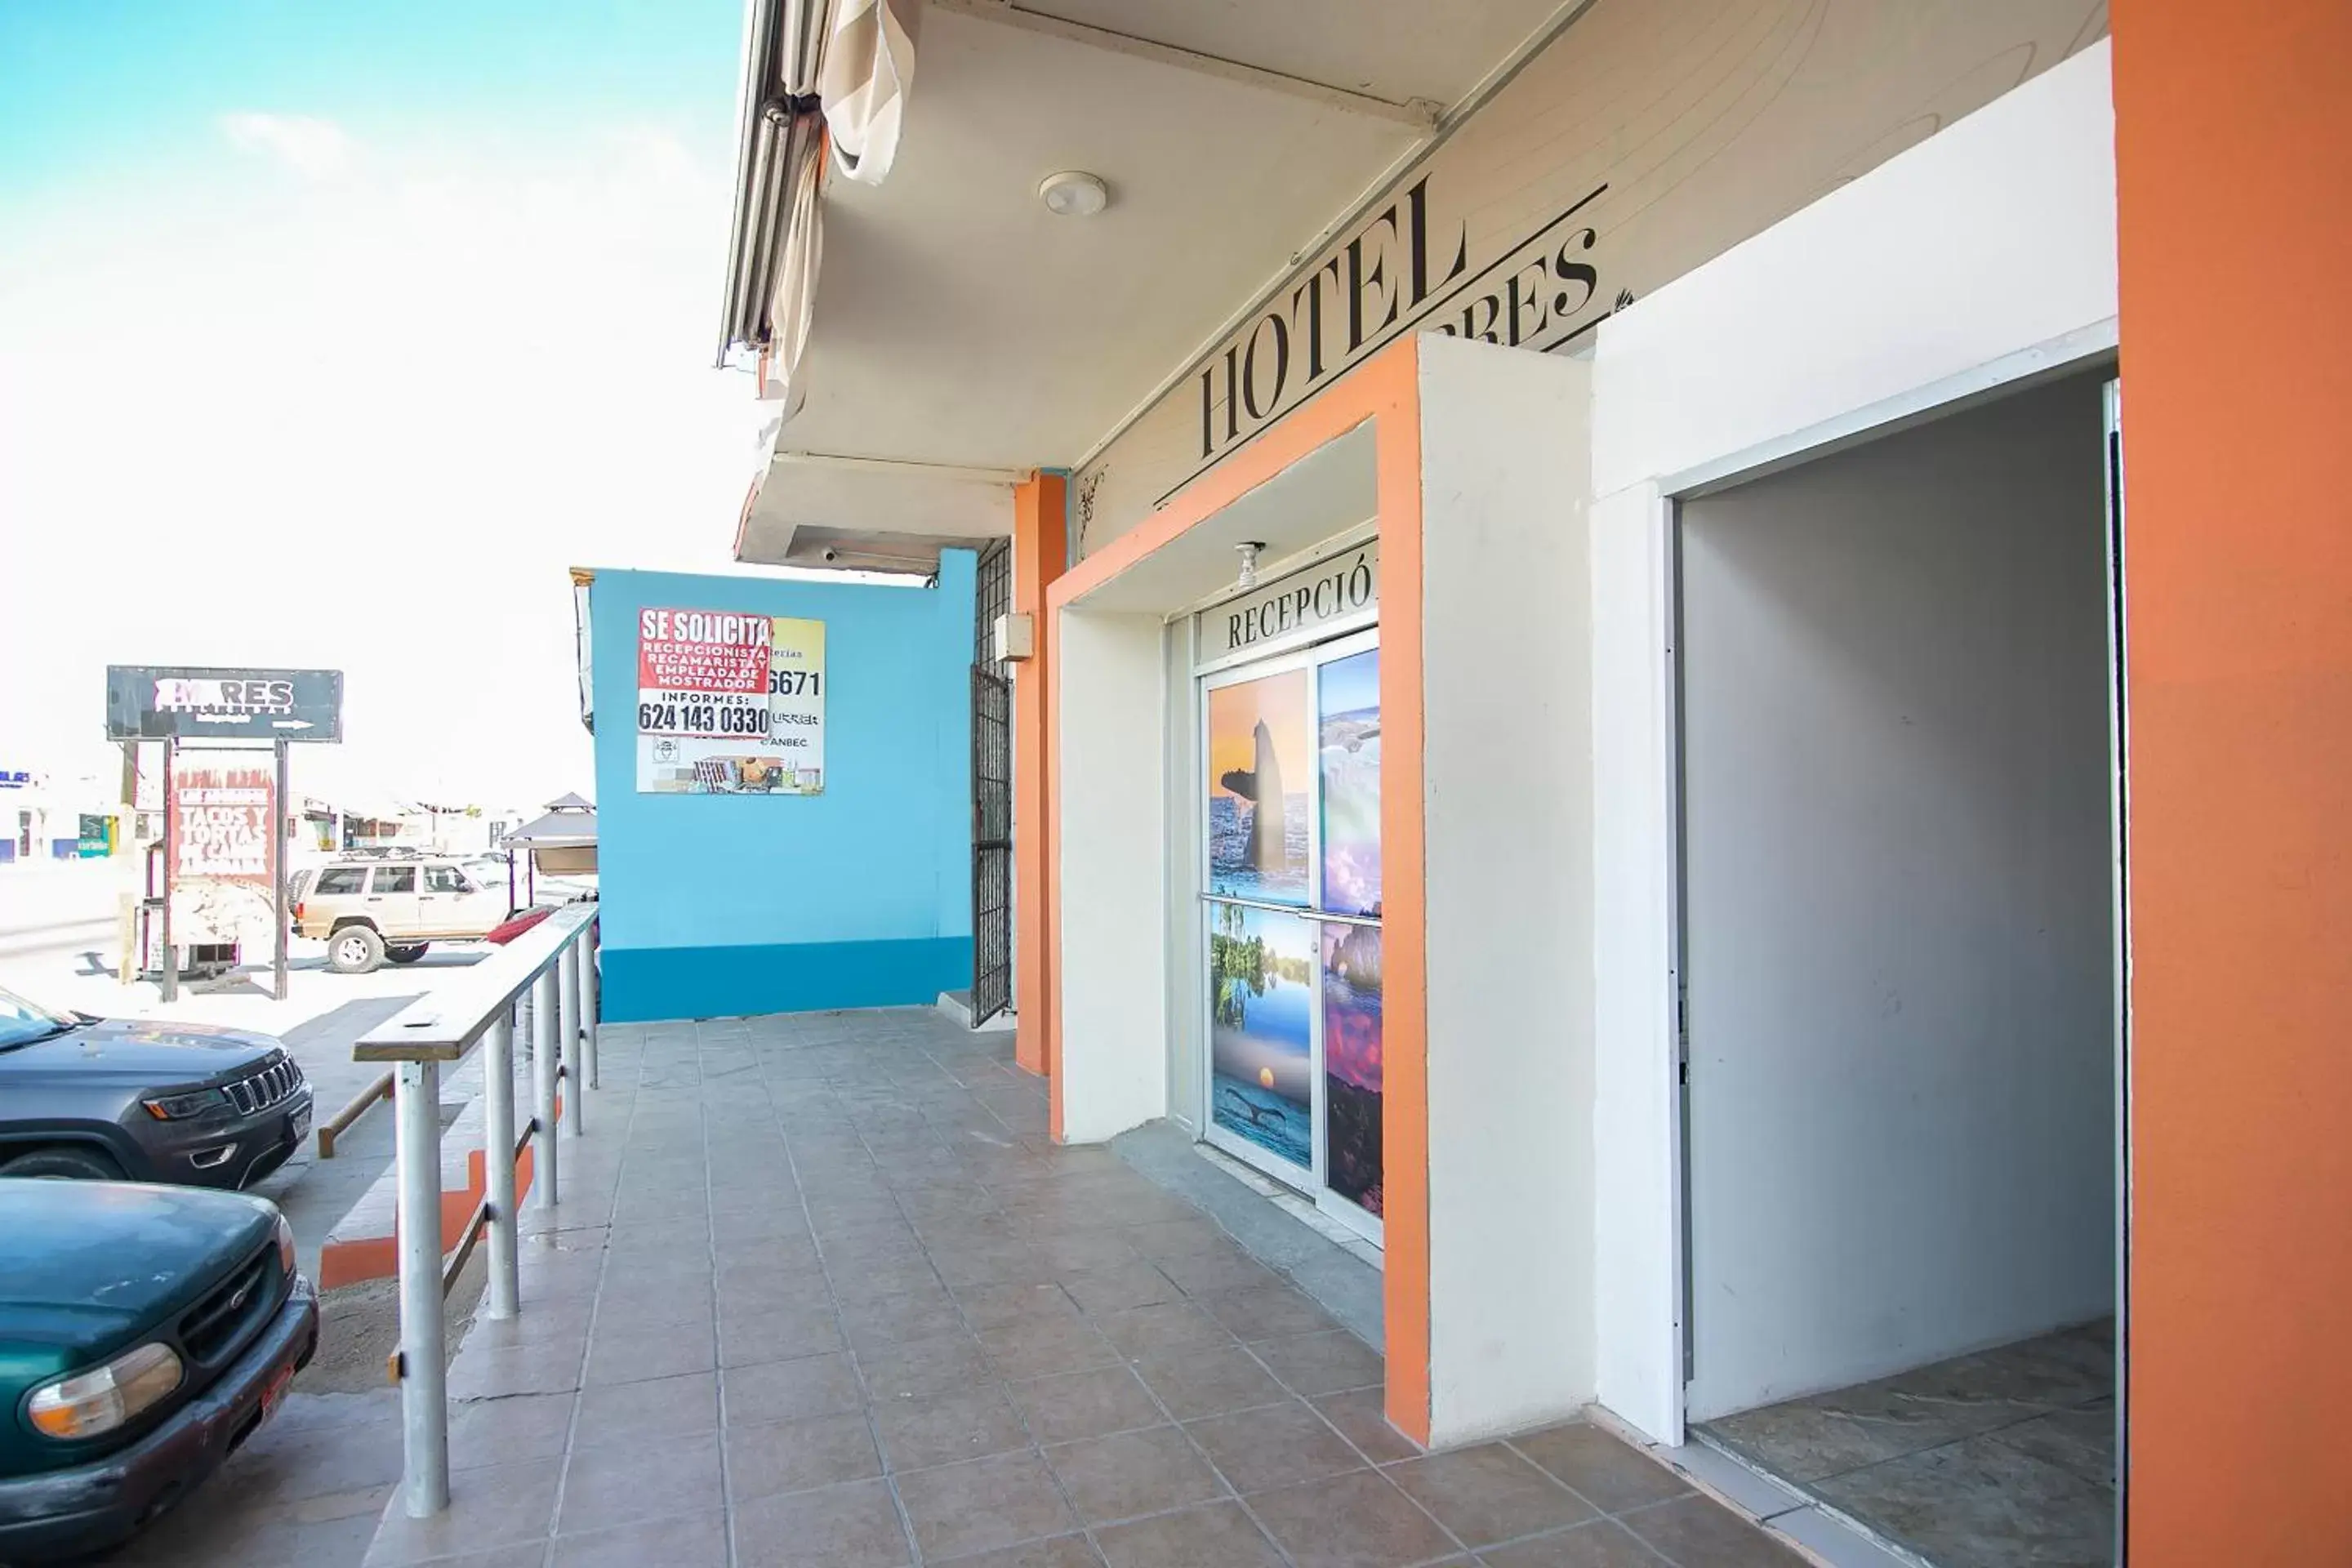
(824, 1294)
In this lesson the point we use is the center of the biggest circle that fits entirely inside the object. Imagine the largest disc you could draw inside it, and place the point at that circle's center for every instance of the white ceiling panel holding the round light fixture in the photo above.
(963, 323)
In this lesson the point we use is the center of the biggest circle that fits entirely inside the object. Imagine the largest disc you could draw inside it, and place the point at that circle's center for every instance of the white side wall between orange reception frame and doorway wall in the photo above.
(1509, 845)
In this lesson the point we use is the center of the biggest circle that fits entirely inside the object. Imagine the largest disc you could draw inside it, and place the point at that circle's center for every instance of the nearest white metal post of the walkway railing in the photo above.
(425, 1365)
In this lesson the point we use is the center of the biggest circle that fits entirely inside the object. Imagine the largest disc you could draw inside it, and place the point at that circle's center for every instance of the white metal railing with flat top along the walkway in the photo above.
(556, 963)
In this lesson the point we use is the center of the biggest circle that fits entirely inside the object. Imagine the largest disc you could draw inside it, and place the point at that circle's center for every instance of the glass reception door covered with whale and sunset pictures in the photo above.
(1292, 906)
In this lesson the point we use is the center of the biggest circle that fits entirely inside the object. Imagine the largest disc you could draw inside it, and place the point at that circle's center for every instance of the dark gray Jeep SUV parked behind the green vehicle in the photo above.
(145, 1101)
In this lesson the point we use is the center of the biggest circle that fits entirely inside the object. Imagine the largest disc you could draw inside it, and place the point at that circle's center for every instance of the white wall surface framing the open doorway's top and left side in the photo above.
(1979, 257)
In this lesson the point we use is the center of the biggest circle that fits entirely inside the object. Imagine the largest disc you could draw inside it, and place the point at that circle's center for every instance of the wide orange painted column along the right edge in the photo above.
(2233, 163)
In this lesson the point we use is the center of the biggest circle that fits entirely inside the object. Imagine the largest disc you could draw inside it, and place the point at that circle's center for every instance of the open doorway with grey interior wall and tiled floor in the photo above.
(1902, 1019)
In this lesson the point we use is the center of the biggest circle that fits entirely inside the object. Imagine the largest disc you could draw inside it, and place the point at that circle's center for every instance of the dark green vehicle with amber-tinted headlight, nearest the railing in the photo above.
(145, 1336)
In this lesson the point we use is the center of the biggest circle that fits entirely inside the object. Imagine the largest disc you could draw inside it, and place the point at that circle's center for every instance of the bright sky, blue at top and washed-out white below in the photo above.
(333, 335)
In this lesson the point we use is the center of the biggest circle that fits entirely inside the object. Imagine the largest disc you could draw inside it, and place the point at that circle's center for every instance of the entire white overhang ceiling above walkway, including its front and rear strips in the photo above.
(958, 323)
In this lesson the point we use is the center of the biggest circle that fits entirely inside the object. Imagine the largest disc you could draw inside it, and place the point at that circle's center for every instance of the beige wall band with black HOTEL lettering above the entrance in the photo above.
(1633, 147)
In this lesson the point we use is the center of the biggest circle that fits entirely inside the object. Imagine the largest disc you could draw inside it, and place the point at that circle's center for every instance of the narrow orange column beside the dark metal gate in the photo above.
(1041, 556)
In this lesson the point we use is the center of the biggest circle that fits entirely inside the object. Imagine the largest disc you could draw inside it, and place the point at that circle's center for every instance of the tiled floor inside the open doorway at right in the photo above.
(1991, 1461)
